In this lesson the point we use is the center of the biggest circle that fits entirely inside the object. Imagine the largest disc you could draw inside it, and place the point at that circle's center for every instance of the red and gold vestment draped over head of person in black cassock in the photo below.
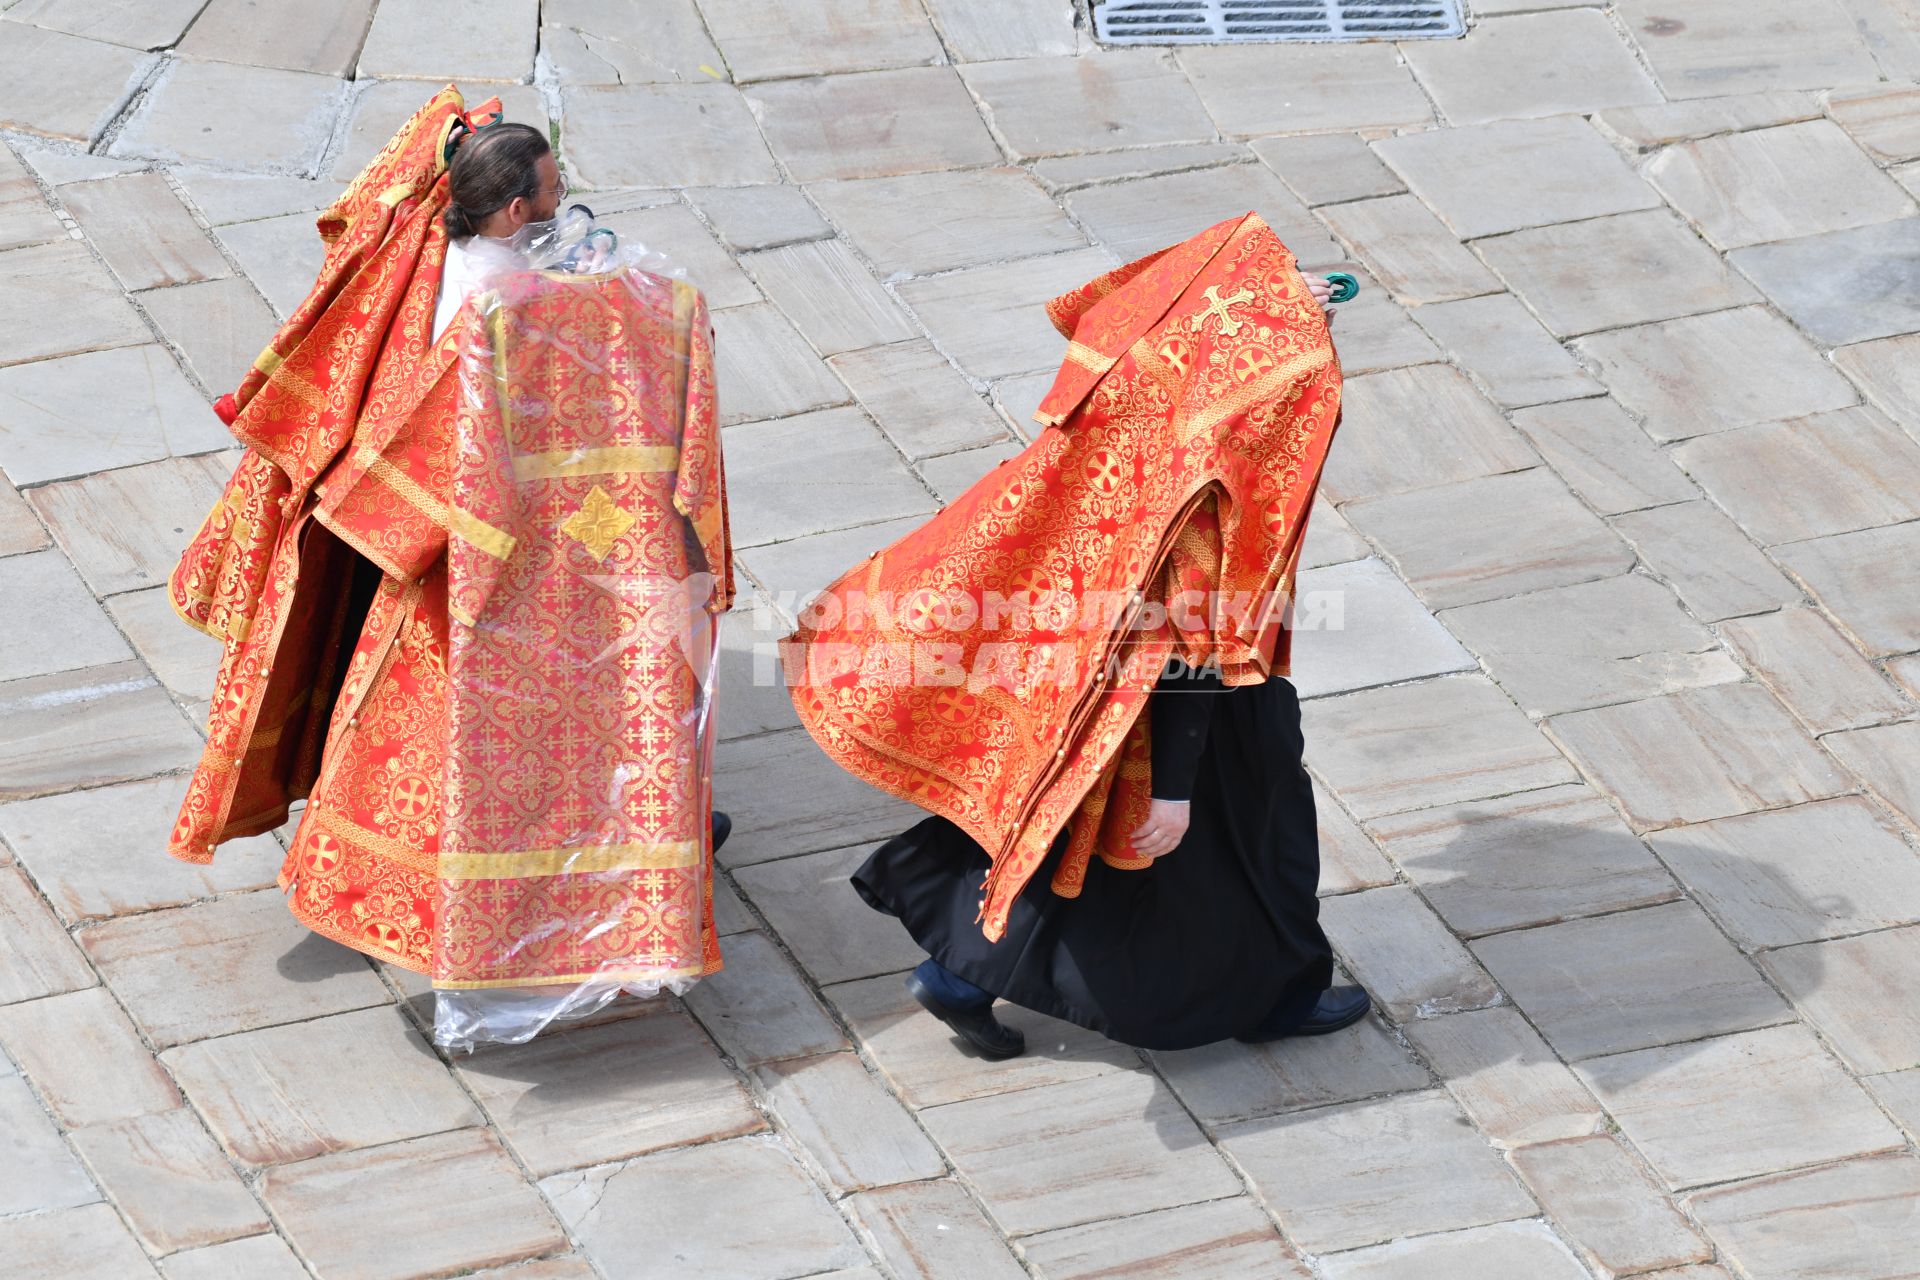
(992, 667)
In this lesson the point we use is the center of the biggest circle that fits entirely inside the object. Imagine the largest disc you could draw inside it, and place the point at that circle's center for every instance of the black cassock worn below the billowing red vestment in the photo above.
(1195, 949)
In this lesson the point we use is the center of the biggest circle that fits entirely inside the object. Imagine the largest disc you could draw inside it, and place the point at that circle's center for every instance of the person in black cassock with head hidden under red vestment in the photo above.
(1080, 665)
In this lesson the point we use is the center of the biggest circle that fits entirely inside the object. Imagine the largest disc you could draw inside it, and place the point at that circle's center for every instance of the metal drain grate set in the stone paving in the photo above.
(1253, 22)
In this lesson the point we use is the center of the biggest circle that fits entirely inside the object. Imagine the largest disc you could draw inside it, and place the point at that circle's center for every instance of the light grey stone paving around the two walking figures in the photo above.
(1618, 747)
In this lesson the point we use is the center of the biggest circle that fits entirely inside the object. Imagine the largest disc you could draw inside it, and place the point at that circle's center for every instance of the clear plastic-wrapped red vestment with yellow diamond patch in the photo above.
(587, 569)
